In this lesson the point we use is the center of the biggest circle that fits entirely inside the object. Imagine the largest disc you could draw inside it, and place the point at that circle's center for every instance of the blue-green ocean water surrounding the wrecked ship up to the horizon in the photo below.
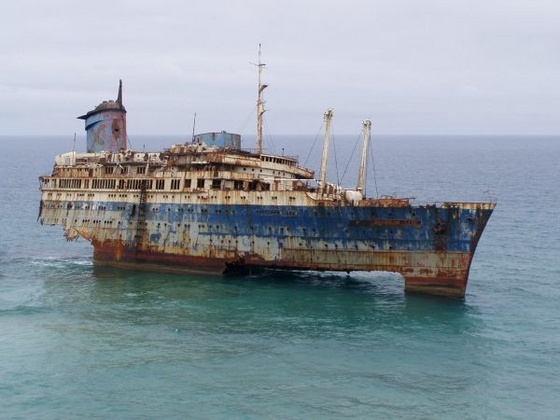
(79, 341)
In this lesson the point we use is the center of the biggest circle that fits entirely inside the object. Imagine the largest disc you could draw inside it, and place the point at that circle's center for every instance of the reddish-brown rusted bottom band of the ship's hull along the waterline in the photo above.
(437, 273)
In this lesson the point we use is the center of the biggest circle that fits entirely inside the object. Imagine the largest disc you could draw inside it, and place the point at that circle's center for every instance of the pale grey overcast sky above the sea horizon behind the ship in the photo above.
(411, 66)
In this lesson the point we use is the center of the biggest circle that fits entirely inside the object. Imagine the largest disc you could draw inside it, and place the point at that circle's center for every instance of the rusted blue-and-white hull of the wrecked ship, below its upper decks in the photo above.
(431, 247)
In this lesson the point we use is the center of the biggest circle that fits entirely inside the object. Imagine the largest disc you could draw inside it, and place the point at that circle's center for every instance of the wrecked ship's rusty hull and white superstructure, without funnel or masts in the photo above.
(200, 208)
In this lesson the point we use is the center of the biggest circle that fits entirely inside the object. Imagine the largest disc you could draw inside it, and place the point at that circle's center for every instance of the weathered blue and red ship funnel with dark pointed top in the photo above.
(106, 126)
